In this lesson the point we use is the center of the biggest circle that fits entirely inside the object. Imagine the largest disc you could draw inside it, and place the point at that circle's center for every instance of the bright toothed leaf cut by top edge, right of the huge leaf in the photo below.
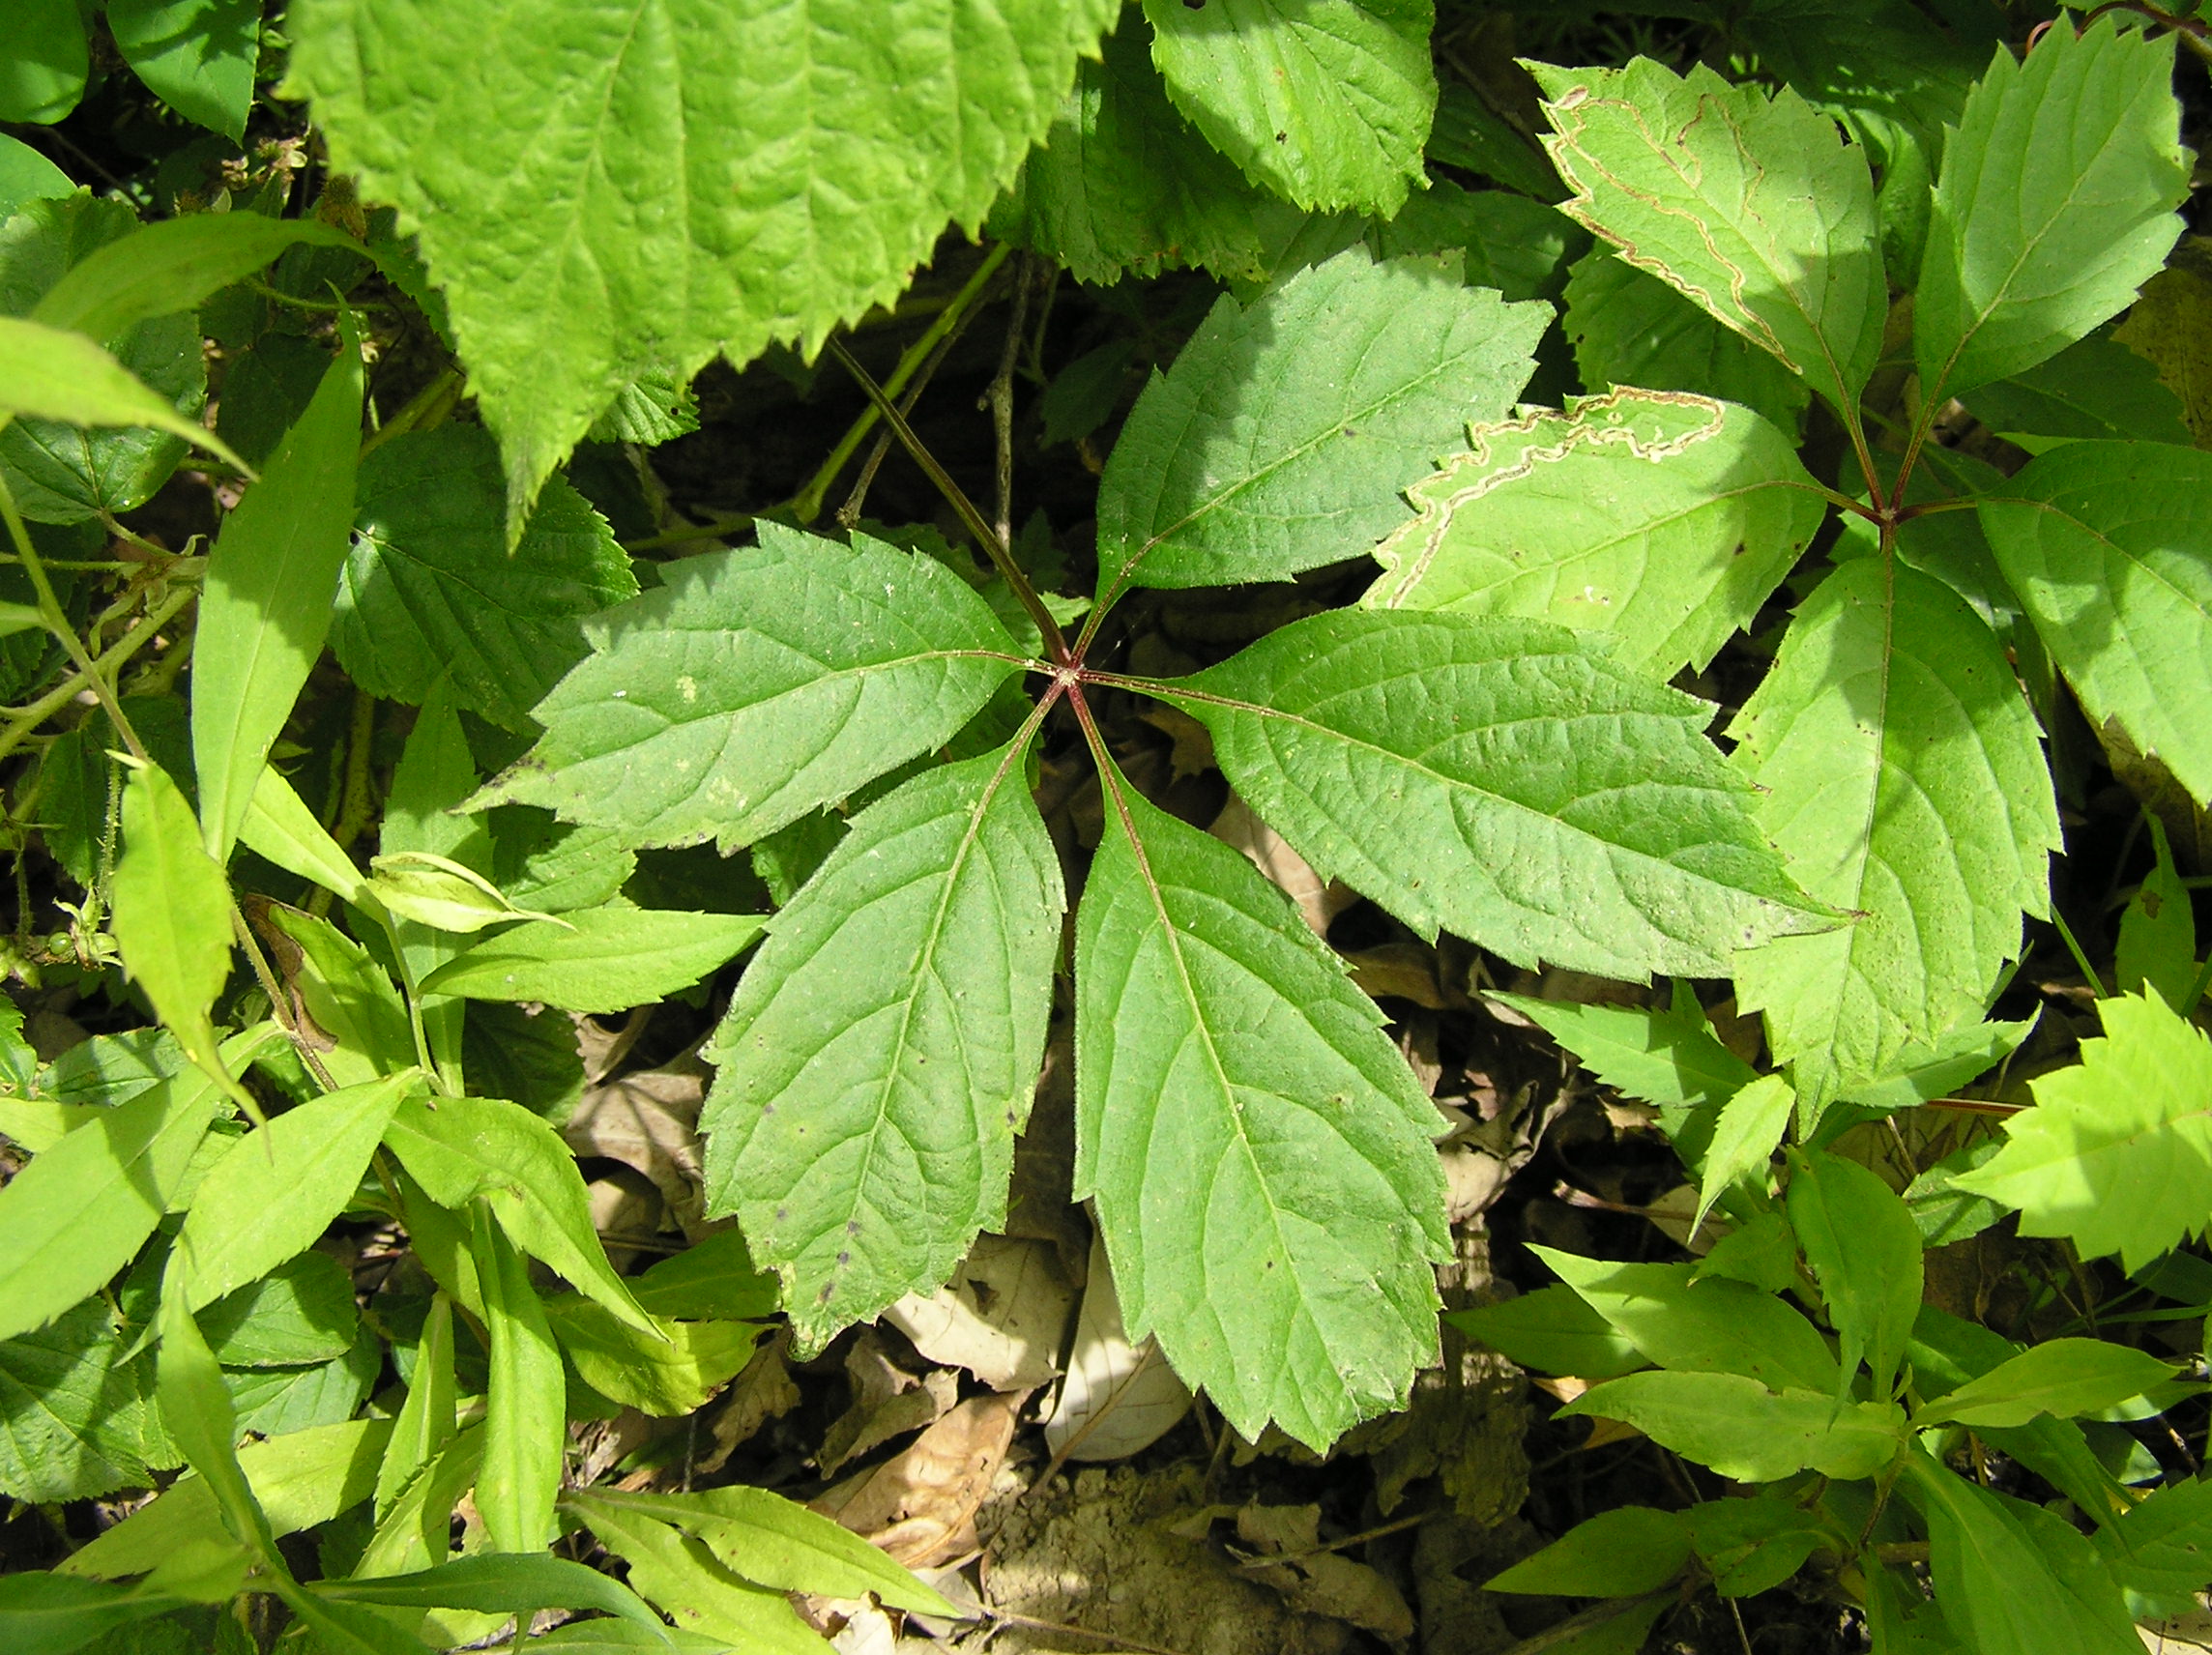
(1326, 105)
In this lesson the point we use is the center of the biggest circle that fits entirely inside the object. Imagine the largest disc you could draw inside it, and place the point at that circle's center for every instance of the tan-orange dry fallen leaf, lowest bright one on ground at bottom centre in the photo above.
(921, 1506)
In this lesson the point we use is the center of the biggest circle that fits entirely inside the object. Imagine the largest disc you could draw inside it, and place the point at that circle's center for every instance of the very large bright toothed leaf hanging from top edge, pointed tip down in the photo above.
(793, 158)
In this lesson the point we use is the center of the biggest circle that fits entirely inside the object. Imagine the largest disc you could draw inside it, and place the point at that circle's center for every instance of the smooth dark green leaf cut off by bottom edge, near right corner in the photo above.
(1996, 1581)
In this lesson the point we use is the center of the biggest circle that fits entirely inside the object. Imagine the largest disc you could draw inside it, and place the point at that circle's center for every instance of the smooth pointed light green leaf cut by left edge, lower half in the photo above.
(83, 1209)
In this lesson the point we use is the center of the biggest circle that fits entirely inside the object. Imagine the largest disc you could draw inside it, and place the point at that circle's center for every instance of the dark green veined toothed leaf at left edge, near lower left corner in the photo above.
(74, 1417)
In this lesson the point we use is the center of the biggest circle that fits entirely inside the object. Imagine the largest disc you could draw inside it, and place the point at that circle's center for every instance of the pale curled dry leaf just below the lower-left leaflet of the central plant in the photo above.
(1003, 1315)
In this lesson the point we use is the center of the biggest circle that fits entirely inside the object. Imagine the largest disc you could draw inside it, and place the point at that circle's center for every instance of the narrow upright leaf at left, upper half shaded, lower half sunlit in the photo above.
(264, 610)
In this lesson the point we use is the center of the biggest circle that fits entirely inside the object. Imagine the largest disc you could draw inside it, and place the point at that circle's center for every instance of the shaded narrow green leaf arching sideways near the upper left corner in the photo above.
(171, 267)
